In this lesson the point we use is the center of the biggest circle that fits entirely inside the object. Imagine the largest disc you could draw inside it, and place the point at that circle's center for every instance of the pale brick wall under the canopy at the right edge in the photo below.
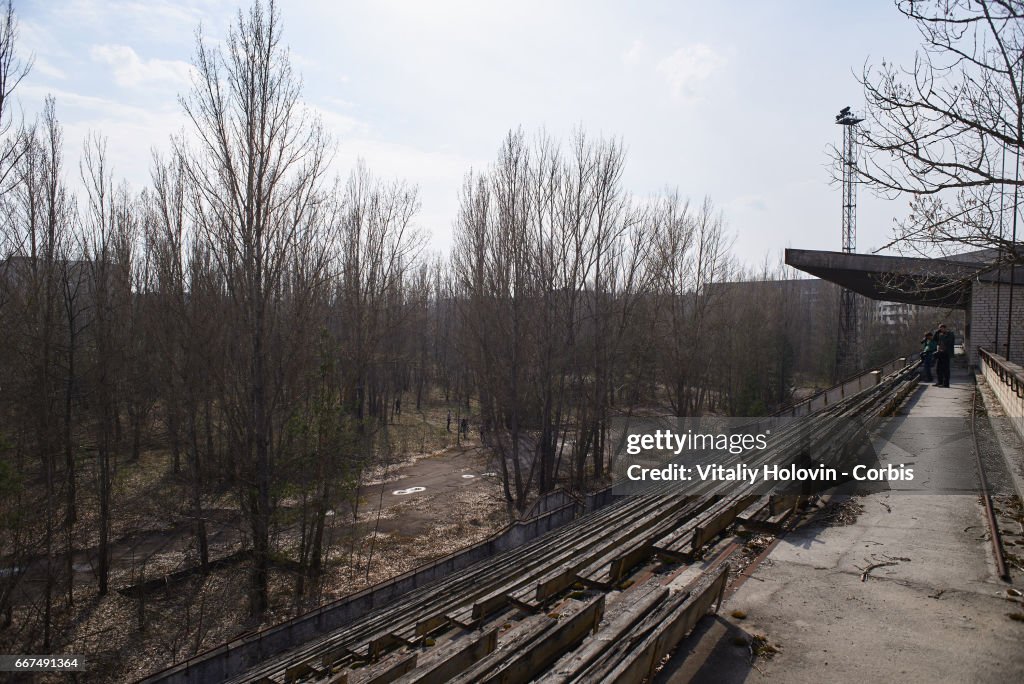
(989, 314)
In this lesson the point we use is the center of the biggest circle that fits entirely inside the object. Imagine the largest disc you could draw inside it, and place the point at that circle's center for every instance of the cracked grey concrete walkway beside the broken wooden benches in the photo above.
(933, 611)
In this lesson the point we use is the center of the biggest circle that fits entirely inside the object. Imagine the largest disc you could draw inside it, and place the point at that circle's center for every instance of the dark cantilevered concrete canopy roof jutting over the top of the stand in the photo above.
(945, 282)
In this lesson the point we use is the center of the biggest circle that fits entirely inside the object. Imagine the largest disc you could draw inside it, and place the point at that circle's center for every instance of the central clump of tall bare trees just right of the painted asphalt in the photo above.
(550, 258)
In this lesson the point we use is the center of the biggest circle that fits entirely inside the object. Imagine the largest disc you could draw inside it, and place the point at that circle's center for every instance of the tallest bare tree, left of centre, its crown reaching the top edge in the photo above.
(254, 168)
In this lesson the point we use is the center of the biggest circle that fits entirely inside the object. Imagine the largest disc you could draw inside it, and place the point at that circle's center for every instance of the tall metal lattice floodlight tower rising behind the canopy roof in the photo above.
(848, 350)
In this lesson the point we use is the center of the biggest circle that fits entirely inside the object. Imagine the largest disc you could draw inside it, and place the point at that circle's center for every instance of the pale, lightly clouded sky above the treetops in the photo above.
(733, 101)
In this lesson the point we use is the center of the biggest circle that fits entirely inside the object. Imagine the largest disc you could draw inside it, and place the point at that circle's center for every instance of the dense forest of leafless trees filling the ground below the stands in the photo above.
(258, 322)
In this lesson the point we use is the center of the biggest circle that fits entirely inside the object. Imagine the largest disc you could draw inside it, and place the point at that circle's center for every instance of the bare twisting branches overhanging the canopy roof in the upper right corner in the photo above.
(949, 131)
